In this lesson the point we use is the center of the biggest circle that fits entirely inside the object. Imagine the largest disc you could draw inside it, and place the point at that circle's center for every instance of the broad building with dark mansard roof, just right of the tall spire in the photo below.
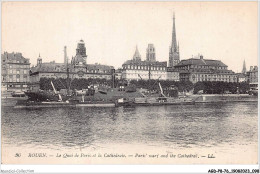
(196, 70)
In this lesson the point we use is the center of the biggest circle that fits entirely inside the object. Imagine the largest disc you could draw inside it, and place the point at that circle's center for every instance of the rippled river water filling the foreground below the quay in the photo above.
(222, 126)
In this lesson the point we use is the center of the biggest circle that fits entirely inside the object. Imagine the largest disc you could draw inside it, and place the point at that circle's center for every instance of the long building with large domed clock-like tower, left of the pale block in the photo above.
(78, 68)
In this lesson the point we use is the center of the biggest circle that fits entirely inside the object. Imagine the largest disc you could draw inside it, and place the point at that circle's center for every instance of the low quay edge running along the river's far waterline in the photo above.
(17, 102)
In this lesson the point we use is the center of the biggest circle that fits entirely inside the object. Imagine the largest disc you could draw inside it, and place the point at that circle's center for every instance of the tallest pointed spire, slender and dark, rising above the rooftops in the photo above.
(174, 56)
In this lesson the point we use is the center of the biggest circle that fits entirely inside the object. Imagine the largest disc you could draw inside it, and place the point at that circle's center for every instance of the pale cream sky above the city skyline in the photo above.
(225, 31)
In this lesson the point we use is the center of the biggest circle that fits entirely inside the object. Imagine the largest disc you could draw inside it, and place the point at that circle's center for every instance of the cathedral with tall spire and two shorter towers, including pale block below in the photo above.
(150, 68)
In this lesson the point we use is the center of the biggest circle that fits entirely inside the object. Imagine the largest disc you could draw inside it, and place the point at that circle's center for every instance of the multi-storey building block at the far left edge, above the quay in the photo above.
(15, 72)
